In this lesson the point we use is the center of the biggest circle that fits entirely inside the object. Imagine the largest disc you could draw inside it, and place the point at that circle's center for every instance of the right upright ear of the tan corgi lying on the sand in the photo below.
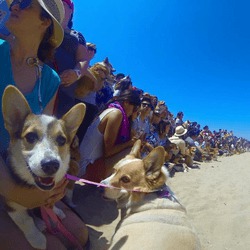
(153, 163)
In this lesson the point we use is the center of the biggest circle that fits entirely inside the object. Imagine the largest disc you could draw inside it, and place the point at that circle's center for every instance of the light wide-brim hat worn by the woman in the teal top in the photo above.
(55, 9)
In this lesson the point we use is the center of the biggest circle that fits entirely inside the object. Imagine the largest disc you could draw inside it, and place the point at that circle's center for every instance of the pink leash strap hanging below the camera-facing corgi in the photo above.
(49, 216)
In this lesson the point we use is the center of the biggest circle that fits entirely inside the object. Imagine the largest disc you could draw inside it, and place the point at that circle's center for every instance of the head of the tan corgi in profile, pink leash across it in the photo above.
(131, 173)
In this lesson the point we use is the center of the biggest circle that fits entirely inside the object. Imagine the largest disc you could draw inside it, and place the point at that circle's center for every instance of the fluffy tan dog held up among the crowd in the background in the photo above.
(101, 71)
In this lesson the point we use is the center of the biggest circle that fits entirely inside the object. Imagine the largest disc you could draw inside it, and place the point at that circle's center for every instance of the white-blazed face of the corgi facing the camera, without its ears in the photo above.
(40, 154)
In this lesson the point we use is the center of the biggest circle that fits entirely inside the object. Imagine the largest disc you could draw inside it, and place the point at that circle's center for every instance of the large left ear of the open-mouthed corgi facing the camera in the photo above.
(15, 109)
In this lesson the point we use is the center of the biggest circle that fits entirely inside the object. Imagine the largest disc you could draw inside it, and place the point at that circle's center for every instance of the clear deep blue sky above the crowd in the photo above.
(193, 54)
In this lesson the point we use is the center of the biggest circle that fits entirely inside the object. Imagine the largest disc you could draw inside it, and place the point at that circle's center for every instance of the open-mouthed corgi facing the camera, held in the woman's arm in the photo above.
(38, 154)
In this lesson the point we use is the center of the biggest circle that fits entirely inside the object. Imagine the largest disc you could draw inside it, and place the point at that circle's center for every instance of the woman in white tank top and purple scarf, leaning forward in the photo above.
(108, 135)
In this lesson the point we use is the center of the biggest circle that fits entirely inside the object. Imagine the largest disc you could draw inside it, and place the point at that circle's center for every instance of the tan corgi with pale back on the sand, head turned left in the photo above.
(151, 216)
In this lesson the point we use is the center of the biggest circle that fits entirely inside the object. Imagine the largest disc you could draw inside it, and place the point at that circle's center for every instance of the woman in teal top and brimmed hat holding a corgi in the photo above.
(36, 31)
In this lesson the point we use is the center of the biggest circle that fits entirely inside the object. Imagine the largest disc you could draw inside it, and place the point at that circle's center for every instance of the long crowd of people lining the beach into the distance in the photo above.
(117, 114)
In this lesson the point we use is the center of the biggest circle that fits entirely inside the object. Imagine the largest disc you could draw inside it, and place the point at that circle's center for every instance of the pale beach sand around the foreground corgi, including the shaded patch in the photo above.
(216, 196)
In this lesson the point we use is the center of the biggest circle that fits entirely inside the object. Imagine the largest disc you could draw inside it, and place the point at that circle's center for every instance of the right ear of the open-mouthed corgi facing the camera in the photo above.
(73, 119)
